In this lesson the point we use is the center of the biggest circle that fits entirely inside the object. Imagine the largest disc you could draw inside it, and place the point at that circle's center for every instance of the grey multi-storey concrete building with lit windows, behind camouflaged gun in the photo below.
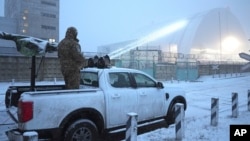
(38, 18)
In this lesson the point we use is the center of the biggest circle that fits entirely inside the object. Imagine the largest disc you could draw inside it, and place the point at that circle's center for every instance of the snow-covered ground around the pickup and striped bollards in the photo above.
(198, 114)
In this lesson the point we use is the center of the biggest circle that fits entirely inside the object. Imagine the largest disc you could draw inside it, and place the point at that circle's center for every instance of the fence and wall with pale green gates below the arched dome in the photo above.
(168, 66)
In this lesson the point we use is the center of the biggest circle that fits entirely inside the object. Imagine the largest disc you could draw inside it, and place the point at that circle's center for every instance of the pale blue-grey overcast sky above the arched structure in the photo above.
(102, 22)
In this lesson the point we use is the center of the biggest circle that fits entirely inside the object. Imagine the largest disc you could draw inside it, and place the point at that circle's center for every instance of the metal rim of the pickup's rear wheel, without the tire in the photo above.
(82, 134)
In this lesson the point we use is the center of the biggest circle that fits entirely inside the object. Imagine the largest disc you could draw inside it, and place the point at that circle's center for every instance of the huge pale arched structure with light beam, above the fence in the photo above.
(216, 33)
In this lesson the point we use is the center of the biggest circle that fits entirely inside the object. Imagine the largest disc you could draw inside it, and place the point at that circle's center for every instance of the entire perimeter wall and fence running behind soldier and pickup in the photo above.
(161, 65)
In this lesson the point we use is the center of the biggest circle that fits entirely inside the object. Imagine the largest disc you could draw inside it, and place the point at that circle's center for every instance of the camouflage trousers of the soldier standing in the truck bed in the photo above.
(71, 78)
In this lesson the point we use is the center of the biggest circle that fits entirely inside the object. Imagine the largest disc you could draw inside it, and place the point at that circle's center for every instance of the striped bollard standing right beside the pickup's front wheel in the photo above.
(179, 121)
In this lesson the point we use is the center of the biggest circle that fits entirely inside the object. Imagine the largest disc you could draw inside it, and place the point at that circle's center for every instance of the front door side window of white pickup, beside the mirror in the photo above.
(143, 80)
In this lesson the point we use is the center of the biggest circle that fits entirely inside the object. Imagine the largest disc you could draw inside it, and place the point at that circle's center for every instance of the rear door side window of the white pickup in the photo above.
(119, 79)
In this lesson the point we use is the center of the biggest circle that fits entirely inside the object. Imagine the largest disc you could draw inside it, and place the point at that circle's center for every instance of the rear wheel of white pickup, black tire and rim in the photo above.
(82, 130)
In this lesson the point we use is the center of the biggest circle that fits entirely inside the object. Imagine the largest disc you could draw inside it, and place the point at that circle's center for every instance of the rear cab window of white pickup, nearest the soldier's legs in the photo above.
(89, 79)
